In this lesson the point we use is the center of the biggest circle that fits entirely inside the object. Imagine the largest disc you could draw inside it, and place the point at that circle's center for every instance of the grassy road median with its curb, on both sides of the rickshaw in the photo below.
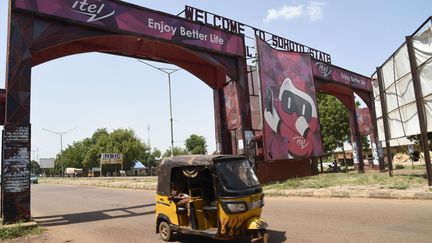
(373, 186)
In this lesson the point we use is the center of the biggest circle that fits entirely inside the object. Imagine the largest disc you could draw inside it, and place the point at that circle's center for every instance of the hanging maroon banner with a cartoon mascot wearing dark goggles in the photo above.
(291, 127)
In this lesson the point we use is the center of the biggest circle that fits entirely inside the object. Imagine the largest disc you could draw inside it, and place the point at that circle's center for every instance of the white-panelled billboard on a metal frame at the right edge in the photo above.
(398, 88)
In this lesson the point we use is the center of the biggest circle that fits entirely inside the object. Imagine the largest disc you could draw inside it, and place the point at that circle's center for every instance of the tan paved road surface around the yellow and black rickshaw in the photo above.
(91, 214)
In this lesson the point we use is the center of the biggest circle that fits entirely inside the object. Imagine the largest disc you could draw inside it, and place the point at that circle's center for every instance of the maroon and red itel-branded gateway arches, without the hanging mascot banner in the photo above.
(42, 30)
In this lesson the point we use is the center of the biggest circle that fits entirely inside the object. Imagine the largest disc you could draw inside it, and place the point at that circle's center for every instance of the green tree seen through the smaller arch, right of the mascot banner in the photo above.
(334, 120)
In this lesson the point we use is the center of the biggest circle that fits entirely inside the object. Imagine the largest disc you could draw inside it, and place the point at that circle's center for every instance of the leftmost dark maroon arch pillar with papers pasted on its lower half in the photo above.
(15, 200)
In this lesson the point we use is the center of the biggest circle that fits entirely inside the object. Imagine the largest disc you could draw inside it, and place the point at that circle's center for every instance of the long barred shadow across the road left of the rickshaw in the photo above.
(107, 214)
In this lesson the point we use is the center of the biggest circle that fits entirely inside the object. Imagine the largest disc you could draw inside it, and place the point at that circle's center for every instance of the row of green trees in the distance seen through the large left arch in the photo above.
(86, 154)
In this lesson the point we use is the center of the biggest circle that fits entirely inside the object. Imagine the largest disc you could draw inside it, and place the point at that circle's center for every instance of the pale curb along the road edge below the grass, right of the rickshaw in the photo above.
(351, 194)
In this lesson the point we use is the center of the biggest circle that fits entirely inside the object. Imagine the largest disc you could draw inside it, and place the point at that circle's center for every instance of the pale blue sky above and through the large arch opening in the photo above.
(85, 92)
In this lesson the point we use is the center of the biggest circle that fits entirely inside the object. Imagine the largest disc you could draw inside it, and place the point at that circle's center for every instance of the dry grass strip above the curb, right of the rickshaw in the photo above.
(353, 179)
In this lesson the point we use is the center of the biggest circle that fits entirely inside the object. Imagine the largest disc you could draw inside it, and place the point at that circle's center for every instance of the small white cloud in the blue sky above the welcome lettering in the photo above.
(314, 10)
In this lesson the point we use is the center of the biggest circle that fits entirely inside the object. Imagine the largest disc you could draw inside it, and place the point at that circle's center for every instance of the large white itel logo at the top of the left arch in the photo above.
(95, 11)
